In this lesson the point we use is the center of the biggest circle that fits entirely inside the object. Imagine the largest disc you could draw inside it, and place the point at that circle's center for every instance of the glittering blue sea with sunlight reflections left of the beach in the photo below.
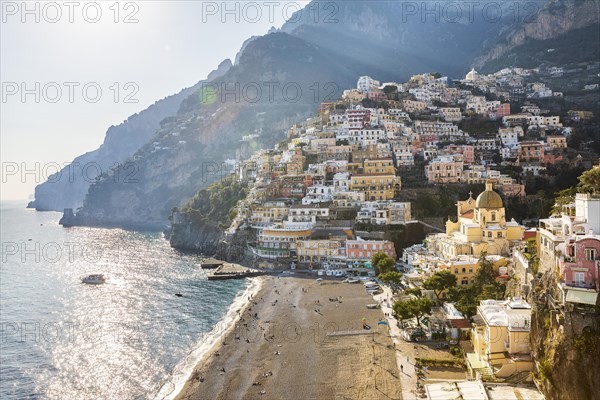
(130, 338)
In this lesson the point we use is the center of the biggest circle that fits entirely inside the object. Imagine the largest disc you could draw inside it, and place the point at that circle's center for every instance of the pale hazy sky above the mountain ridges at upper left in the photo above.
(57, 47)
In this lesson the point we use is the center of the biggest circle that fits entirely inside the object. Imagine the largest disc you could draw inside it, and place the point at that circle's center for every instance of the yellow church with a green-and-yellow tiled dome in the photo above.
(480, 227)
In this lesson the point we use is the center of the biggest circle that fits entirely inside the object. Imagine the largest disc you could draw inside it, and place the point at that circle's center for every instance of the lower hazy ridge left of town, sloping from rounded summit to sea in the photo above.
(188, 151)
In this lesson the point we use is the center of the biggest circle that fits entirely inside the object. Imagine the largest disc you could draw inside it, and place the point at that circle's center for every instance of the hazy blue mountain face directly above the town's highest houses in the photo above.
(404, 38)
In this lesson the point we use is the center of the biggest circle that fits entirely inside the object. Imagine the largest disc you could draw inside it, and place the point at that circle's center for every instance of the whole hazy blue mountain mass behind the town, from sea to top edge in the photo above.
(279, 79)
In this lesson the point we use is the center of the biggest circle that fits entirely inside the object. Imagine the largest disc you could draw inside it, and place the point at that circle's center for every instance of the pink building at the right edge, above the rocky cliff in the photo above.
(581, 269)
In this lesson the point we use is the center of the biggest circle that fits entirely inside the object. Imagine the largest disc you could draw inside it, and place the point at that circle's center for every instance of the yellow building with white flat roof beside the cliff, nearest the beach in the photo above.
(500, 338)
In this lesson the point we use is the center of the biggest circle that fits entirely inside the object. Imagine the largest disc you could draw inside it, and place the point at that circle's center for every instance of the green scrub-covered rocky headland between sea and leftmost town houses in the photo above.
(215, 205)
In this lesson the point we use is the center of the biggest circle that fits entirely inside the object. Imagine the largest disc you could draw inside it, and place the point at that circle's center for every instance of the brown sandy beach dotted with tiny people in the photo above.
(301, 339)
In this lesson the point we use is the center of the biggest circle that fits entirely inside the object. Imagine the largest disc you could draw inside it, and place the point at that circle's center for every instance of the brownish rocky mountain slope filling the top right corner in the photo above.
(562, 32)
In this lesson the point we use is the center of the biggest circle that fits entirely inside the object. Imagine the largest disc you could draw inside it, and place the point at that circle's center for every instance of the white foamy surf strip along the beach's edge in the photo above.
(209, 342)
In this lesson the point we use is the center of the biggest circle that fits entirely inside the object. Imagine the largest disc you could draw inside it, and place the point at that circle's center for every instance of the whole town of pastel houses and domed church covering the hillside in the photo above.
(334, 198)
